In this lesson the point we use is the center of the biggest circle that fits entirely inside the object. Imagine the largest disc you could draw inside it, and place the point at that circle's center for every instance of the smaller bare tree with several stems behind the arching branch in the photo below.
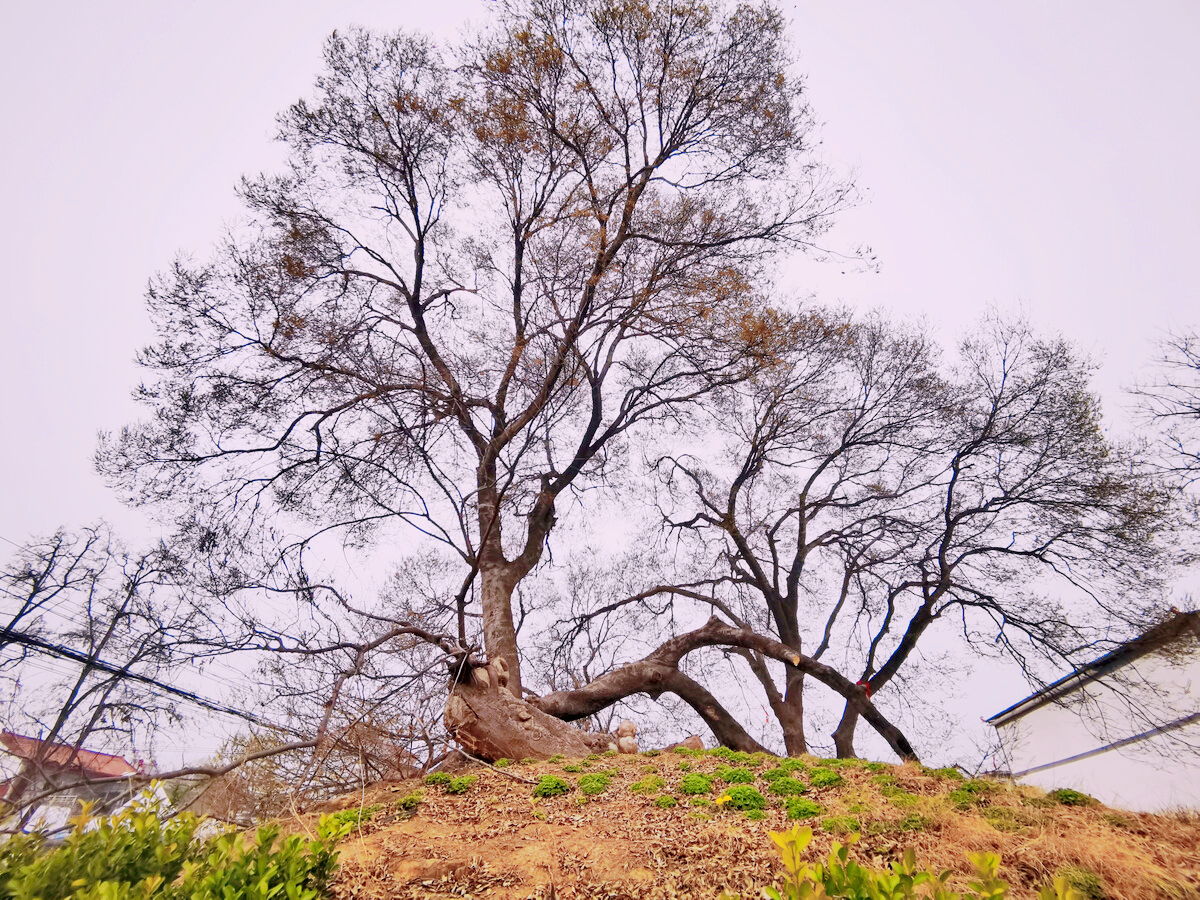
(868, 495)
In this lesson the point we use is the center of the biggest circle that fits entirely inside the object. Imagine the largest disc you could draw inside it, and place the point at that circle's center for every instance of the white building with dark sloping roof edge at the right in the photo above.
(1124, 729)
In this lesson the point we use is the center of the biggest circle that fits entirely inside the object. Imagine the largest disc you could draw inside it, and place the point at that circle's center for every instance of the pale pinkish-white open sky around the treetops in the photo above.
(1021, 155)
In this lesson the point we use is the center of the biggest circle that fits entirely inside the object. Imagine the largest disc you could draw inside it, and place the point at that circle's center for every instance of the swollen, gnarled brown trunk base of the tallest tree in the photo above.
(490, 723)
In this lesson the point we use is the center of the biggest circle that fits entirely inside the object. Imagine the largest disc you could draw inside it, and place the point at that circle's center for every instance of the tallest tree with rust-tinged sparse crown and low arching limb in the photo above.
(487, 271)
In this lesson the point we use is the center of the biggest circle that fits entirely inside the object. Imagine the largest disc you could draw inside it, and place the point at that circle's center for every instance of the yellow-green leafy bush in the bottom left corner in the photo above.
(136, 856)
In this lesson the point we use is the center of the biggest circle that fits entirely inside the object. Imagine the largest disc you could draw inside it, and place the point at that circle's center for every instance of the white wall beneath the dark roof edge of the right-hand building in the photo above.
(1154, 775)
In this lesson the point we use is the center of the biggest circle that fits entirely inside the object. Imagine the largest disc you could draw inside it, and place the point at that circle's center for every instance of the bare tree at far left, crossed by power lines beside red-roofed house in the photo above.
(83, 647)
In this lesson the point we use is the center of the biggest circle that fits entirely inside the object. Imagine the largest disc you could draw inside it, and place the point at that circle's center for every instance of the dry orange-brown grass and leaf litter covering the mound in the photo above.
(497, 841)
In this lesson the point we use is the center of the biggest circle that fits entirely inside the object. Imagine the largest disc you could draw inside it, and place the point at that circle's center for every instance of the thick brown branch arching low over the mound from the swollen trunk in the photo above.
(657, 674)
